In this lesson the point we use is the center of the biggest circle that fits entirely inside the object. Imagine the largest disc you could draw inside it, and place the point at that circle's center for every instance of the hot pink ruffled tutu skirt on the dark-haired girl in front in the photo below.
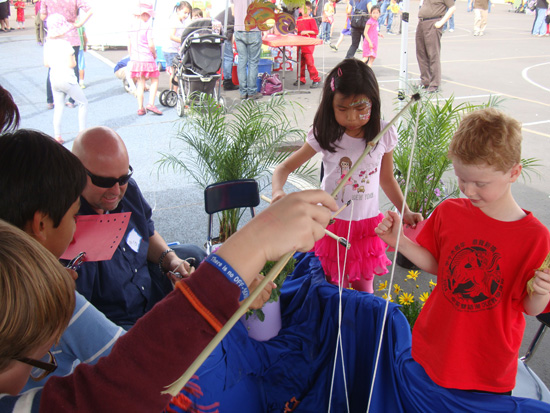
(366, 257)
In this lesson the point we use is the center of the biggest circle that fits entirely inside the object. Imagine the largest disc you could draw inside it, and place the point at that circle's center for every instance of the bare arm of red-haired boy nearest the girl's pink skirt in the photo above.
(387, 231)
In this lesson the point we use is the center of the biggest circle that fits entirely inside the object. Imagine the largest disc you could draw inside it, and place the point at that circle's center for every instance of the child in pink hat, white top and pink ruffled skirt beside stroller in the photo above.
(143, 57)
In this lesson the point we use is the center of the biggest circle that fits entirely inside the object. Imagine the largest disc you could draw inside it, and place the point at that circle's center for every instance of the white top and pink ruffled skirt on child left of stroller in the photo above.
(142, 62)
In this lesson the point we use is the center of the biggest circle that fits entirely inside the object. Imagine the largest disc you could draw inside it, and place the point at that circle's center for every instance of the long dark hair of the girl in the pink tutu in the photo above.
(351, 77)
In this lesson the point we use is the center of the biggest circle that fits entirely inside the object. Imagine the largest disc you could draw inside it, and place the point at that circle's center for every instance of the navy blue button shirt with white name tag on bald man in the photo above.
(122, 287)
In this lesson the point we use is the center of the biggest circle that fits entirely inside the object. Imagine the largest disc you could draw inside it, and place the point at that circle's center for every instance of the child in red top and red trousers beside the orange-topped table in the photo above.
(306, 26)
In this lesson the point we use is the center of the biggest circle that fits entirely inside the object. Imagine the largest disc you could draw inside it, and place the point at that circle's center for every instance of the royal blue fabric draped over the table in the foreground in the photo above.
(293, 370)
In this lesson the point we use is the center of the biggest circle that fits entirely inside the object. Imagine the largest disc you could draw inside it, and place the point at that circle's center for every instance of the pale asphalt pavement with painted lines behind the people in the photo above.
(507, 62)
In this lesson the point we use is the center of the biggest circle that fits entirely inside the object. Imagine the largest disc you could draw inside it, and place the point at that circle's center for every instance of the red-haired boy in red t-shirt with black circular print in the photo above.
(484, 249)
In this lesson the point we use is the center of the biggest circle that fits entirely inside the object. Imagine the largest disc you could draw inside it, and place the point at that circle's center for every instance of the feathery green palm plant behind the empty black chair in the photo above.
(214, 146)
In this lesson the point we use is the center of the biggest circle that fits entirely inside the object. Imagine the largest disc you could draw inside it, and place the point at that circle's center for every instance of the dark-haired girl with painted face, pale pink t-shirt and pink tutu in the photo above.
(348, 119)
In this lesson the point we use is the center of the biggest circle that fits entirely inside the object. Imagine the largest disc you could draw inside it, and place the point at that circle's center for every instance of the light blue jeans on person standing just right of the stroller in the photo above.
(249, 48)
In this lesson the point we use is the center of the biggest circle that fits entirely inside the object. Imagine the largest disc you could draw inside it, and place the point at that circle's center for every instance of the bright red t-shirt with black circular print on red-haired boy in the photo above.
(469, 333)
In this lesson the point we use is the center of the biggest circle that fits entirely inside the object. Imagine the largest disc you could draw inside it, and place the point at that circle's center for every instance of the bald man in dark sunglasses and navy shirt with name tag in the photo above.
(127, 286)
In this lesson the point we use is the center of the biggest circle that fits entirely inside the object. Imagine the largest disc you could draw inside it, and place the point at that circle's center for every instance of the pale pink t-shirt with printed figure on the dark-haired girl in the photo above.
(364, 185)
